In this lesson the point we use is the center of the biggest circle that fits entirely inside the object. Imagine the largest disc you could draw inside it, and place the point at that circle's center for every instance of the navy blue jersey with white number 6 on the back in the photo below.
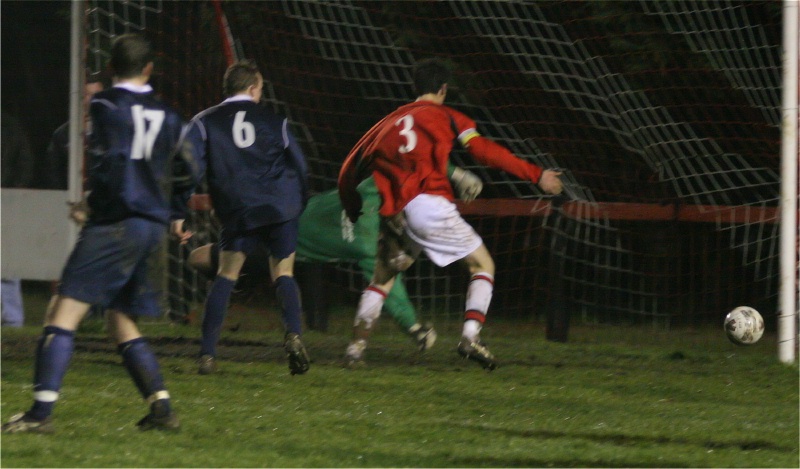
(256, 172)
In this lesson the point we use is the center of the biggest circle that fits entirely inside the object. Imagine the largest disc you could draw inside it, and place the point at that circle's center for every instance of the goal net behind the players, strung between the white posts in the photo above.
(664, 115)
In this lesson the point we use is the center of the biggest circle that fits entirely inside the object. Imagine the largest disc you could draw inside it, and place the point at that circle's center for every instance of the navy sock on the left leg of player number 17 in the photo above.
(53, 354)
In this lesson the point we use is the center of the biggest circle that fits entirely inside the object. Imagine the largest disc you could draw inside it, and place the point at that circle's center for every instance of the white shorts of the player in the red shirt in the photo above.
(435, 226)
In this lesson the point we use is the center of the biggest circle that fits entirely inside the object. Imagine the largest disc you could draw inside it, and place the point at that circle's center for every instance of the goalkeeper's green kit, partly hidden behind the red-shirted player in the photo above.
(327, 235)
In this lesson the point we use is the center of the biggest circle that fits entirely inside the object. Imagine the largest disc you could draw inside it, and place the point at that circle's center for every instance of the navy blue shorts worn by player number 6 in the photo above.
(280, 239)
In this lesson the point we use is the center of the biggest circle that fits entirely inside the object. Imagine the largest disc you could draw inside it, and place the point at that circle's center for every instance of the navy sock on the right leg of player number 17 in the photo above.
(142, 365)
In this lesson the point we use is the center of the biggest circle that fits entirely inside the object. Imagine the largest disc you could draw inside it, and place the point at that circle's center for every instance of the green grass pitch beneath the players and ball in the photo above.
(611, 397)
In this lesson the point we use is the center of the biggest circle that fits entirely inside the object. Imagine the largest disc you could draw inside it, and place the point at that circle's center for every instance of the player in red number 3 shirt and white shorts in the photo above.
(407, 153)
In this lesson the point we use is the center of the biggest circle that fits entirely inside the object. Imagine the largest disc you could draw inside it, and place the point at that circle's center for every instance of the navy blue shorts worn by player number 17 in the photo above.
(117, 266)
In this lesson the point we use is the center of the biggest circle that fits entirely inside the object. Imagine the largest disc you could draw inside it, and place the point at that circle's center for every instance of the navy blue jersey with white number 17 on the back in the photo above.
(131, 150)
